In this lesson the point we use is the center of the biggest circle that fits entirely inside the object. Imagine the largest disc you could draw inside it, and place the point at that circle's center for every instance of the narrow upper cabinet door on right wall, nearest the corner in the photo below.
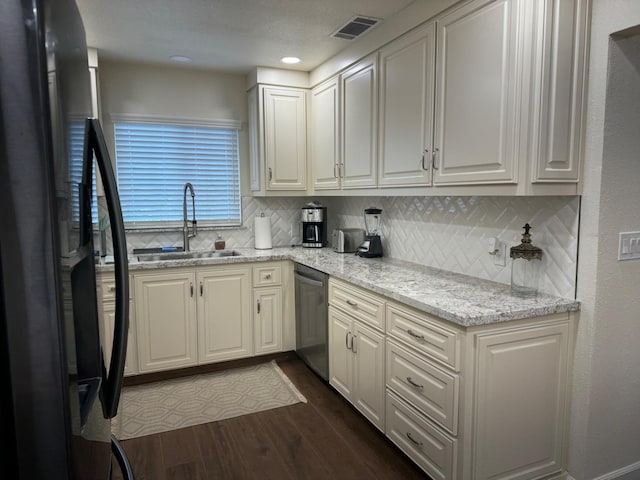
(324, 137)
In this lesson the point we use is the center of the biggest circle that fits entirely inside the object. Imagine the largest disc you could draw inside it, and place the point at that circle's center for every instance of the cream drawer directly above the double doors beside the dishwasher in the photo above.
(357, 302)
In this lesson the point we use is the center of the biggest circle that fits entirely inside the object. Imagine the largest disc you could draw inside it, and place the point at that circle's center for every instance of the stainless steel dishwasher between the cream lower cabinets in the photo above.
(312, 323)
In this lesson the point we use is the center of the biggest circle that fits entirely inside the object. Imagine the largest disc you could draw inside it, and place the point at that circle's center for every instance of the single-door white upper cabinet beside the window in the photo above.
(278, 138)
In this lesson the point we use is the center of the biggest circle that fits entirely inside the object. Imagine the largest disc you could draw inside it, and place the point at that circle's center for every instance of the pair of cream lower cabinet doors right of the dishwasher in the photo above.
(356, 364)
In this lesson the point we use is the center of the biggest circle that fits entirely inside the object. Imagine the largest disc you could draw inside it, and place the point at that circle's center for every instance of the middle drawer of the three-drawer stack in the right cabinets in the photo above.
(431, 390)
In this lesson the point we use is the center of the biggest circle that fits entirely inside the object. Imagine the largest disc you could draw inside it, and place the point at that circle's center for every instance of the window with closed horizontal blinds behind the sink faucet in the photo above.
(155, 159)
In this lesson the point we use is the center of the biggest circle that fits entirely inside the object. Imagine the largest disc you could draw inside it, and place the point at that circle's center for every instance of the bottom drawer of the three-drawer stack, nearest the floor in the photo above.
(434, 451)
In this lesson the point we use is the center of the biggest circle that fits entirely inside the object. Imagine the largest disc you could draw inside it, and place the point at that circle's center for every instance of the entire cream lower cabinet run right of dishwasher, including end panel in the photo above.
(475, 403)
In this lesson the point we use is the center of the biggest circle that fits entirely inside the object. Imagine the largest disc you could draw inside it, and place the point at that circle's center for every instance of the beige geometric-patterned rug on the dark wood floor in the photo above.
(184, 402)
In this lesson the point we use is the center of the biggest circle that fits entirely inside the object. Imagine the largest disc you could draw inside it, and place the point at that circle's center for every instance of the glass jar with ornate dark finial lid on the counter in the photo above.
(526, 266)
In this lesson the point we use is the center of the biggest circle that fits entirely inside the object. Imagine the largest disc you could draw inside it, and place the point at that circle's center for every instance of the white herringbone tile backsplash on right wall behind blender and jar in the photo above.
(452, 233)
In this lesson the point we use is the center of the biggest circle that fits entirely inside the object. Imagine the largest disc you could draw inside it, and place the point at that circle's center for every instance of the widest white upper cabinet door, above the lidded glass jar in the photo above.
(476, 94)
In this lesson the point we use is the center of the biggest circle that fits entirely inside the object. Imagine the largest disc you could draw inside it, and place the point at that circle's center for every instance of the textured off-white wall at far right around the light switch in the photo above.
(605, 429)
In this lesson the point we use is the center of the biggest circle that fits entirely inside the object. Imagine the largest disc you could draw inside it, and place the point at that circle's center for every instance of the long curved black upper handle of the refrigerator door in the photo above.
(113, 383)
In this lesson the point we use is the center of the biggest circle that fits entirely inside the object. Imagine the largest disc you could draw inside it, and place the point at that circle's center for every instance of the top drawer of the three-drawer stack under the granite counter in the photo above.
(427, 335)
